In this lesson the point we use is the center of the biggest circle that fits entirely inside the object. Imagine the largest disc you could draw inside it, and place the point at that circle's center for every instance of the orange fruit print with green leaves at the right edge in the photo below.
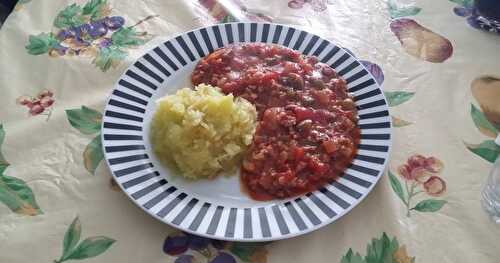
(486, 91)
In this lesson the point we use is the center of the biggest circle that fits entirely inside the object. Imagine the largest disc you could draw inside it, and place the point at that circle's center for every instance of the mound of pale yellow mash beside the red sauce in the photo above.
(202, 131)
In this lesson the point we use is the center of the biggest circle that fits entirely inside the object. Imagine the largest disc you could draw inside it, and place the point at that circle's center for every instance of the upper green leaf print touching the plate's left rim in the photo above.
(86, 120)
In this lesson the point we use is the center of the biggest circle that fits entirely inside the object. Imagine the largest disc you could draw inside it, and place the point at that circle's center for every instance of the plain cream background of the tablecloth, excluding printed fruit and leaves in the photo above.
(46, 151)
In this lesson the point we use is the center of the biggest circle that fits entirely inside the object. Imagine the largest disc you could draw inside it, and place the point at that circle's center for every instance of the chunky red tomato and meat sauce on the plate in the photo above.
(307, 131)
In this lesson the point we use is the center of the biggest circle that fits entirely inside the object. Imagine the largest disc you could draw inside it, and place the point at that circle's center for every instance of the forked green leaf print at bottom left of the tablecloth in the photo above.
(88, 248)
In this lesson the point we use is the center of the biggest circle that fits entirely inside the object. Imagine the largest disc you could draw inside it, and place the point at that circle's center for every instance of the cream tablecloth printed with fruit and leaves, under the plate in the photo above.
(59, 60)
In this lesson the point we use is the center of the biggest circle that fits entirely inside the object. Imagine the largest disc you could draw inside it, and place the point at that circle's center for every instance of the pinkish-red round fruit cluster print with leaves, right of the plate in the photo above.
(420, 175)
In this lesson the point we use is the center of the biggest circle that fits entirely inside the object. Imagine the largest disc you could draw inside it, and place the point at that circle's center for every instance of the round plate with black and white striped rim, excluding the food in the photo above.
(217, 209)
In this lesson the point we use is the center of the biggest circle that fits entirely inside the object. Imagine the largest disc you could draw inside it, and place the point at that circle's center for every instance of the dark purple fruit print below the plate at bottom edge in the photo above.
(188, 248)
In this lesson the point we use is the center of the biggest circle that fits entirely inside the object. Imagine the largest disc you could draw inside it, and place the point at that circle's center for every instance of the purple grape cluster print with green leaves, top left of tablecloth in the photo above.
(89, 31)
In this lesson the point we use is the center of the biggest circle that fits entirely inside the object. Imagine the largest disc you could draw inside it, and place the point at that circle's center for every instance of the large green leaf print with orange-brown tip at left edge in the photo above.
(18, 196)
